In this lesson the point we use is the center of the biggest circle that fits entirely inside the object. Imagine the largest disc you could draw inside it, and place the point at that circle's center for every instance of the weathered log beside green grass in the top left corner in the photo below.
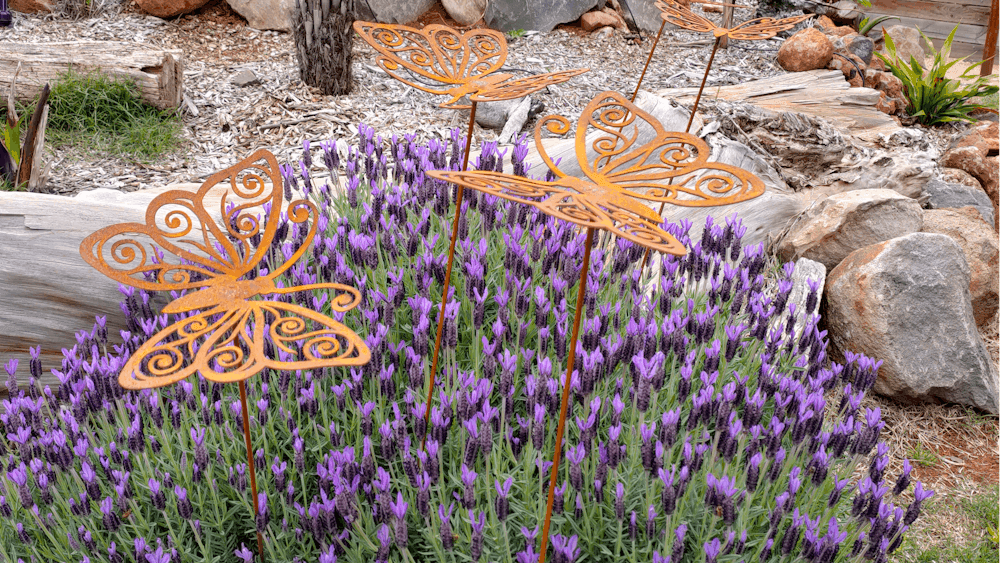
(157, 72)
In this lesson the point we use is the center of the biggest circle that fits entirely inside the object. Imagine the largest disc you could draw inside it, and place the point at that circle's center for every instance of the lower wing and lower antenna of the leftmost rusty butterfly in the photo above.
(234, 343)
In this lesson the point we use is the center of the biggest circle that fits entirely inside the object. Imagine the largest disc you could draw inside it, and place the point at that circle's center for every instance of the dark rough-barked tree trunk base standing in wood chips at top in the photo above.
(323, 36)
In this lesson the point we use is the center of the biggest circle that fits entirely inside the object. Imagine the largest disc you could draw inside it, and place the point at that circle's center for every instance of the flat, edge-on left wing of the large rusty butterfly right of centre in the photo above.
(576, 201)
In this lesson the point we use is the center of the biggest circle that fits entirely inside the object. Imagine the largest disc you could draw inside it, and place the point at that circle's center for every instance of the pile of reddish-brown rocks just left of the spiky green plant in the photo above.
(838, 47)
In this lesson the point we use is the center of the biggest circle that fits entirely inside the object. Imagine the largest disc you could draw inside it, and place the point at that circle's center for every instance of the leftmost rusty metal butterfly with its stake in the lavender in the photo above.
(221, 335)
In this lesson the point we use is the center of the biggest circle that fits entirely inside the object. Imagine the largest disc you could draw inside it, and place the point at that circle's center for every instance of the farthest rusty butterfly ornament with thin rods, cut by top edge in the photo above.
(751, 30)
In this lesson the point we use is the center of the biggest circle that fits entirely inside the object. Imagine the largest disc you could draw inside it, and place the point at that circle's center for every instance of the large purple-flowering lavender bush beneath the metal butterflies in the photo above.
(706, 424)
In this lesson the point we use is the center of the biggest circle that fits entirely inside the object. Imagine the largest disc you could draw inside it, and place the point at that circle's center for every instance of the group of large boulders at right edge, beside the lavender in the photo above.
(909, 286)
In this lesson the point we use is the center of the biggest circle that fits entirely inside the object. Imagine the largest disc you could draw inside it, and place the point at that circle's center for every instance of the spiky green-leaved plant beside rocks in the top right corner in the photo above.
(932, 97)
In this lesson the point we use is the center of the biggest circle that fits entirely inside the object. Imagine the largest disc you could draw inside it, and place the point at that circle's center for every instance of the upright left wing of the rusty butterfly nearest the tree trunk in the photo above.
(436, 58)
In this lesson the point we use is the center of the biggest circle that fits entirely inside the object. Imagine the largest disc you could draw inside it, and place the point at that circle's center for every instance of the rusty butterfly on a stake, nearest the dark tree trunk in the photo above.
(458, 65)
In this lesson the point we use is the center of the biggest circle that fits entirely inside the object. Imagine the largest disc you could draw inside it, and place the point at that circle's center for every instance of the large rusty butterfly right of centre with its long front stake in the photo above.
(621, 172)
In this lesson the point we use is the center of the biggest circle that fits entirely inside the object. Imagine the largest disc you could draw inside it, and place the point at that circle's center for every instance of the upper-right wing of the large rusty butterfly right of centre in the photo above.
(620, 144)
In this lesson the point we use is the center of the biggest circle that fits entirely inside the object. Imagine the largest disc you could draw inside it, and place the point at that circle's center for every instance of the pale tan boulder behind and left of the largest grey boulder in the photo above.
(842, 223)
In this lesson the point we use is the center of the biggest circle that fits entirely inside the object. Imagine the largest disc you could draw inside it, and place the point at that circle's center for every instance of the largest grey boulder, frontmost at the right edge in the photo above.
(906, 302)
